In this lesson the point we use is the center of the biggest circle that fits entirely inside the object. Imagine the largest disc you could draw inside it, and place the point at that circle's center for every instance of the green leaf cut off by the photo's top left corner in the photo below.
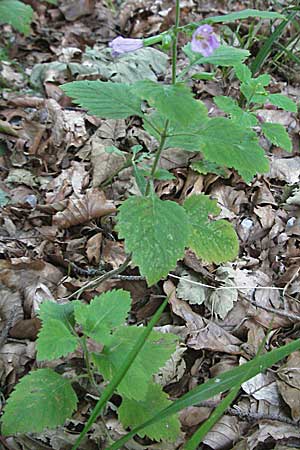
(17, 14)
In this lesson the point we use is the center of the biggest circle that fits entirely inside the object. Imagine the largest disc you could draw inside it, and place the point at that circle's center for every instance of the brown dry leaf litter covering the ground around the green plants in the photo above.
(57, 229)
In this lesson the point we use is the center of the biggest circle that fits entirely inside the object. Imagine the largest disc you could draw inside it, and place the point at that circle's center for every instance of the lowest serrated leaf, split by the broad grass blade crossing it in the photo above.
(133, 413)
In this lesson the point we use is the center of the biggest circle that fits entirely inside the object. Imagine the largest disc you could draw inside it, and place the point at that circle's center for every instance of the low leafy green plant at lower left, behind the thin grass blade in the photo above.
(101, 323)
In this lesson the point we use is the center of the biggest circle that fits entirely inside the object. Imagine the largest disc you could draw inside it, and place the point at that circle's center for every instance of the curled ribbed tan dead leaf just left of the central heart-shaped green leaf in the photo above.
(83, 208)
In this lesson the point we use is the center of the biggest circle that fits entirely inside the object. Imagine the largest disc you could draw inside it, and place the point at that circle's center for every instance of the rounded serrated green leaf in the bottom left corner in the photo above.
(42, 399)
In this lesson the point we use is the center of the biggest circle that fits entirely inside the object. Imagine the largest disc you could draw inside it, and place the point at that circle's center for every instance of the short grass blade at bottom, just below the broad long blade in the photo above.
(198, 436)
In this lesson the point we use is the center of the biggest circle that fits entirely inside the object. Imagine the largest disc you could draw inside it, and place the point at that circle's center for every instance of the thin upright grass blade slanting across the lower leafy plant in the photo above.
(110, 389)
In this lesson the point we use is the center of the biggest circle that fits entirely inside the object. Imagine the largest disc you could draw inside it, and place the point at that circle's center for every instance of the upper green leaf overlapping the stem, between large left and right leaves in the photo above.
(174, 102)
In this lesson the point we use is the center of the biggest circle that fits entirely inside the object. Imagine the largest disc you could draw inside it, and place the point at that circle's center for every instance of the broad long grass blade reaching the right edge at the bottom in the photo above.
(222, 383)
